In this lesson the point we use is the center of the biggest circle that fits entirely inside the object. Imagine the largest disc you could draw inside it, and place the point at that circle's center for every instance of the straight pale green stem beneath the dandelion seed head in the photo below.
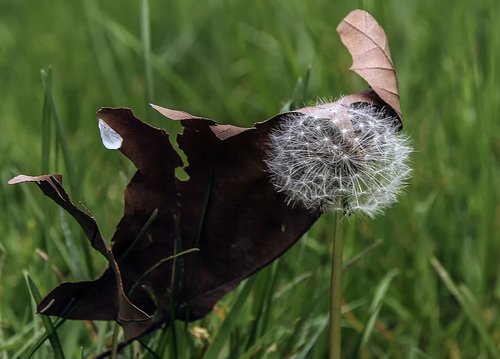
(336, 291)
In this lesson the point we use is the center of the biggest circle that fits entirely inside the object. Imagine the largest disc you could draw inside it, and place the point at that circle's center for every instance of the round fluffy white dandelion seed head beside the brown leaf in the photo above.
(340, 157)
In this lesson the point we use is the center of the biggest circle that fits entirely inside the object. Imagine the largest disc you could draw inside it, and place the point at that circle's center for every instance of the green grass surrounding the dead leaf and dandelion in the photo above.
(430, 290)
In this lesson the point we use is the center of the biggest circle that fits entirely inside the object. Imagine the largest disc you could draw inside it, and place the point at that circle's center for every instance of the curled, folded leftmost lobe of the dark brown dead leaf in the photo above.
(101, 299)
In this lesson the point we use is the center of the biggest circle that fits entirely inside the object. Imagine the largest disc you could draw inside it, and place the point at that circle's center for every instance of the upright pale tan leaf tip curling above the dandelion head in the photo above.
(368, 45)
